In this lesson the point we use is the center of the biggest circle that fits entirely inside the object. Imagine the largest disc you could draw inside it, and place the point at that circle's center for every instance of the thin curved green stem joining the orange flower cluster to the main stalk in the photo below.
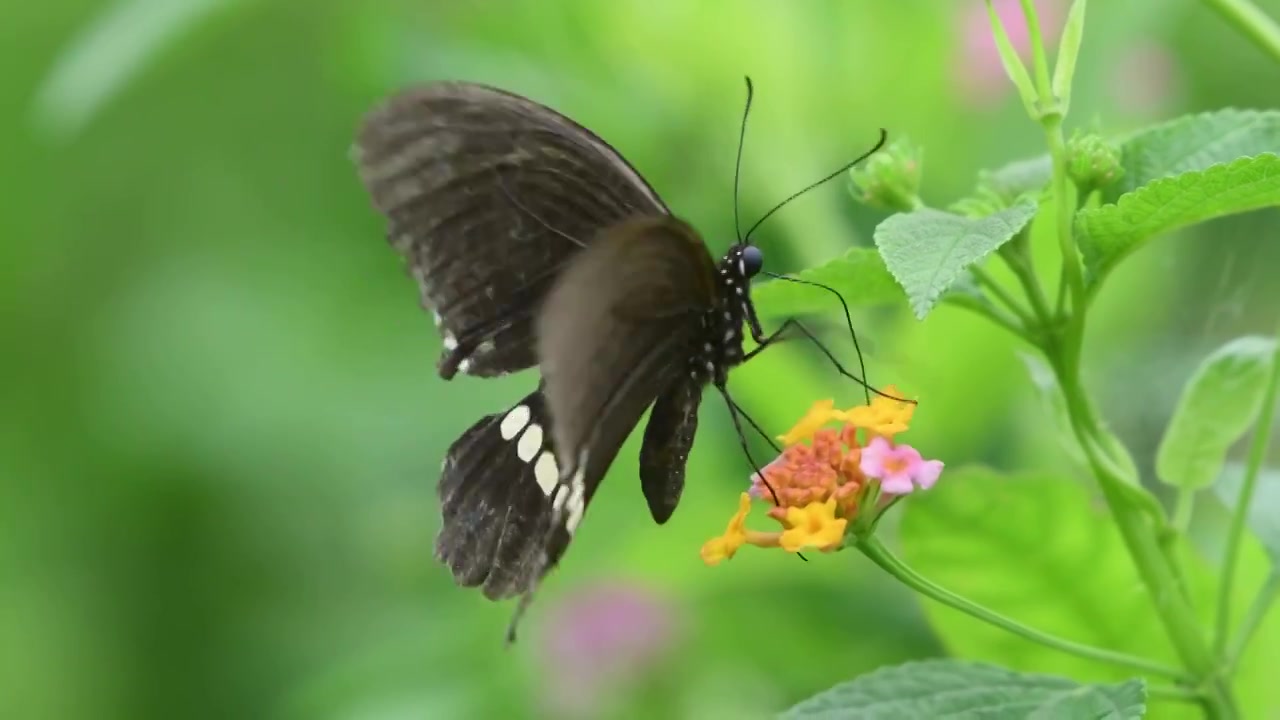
(876, 552)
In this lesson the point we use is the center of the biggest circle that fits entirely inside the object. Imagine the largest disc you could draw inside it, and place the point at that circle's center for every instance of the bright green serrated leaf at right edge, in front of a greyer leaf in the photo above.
(1112, 233)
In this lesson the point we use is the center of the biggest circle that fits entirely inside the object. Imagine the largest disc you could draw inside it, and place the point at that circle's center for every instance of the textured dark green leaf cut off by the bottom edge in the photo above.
(954, 689)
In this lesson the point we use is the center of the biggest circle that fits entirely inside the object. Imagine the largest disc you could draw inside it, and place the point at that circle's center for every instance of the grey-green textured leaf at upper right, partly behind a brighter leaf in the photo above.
(1196, 143)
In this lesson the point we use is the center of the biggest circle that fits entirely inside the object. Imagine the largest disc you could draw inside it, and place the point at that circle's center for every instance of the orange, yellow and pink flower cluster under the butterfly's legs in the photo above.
(828, 479)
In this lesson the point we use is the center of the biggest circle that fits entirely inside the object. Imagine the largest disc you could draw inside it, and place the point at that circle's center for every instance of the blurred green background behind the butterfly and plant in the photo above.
(221, 423)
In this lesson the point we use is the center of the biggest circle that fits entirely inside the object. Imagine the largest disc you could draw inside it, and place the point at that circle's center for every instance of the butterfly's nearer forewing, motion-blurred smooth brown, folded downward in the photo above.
(616, 332)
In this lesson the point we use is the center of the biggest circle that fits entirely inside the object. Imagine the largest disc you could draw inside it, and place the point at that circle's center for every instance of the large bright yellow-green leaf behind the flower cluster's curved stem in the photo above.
(1041, 550)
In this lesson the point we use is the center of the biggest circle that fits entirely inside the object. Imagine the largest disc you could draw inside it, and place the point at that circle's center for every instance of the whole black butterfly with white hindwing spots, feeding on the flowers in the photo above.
(538, 244)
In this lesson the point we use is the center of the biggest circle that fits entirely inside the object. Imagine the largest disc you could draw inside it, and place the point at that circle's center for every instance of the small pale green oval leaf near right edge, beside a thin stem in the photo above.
(1219, 404)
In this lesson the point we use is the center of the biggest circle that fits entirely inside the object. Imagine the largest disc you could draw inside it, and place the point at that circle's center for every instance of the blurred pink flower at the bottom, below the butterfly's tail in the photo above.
(600, 640)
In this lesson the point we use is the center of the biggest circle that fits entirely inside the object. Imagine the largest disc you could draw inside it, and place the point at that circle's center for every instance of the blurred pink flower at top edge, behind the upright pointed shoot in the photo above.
(981, 80)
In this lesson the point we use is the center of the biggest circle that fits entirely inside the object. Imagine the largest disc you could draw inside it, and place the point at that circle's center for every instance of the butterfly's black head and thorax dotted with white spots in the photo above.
(723, 326)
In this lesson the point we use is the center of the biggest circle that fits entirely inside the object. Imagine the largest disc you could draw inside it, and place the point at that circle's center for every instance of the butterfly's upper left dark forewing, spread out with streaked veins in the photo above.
(488, 195)
